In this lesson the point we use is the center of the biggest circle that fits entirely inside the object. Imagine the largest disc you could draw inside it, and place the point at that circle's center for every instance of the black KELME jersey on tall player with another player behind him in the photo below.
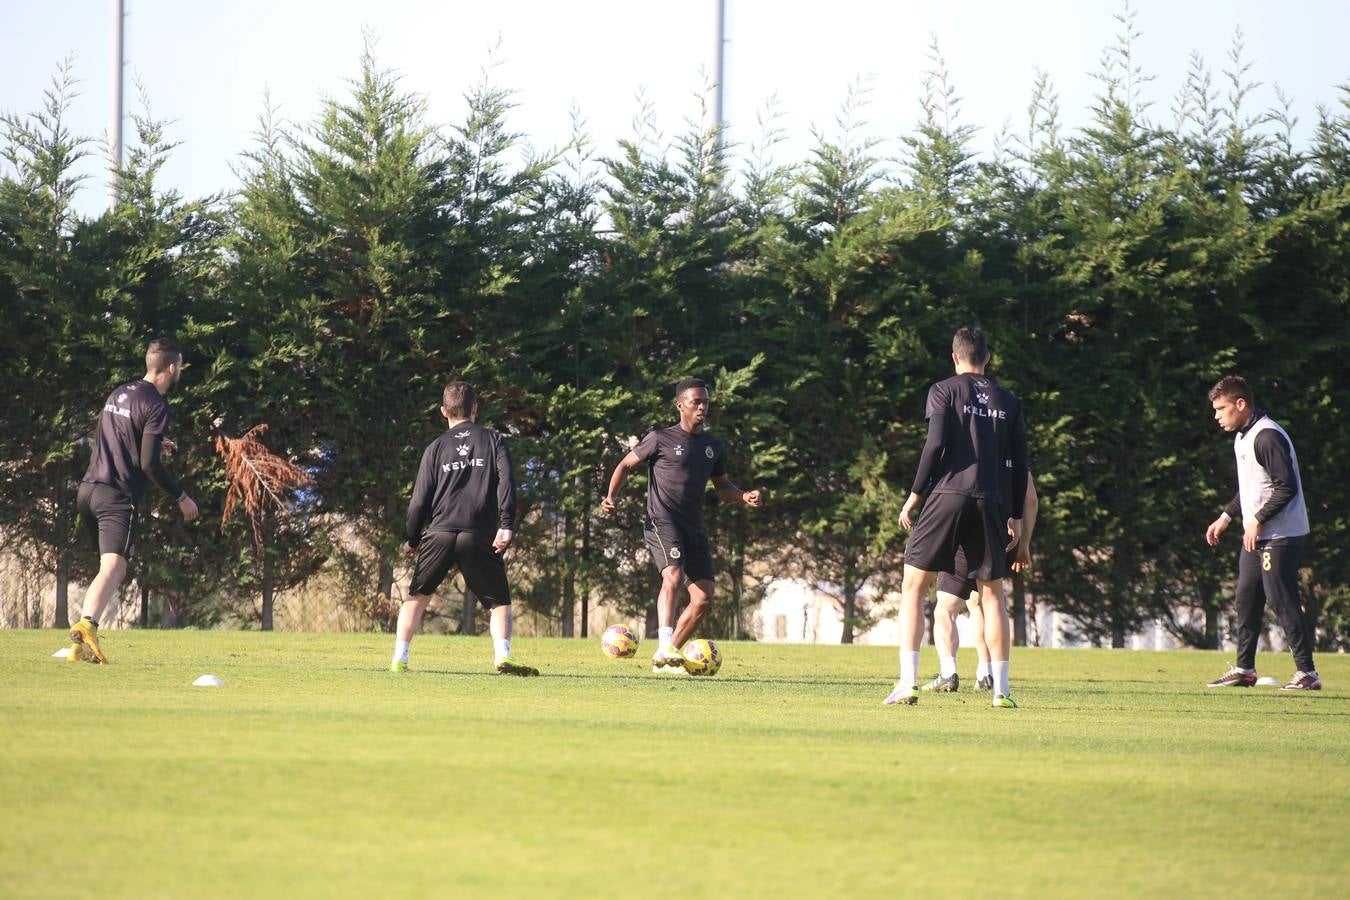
(977, 443)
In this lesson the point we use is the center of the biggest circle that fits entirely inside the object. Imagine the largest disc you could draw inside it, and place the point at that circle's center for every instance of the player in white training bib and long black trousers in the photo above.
(1275, 527)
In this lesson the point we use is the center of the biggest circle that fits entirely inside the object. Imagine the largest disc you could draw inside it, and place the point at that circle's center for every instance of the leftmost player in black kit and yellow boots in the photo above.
(128, 447)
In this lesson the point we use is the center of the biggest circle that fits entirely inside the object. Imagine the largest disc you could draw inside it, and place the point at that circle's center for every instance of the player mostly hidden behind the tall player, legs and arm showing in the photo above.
(958, 590)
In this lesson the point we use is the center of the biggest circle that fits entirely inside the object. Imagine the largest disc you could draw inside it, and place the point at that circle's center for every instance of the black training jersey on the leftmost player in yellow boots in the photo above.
(132, 412)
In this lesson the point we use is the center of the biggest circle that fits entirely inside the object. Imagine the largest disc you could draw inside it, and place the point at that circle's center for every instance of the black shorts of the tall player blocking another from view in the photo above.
(951, 523)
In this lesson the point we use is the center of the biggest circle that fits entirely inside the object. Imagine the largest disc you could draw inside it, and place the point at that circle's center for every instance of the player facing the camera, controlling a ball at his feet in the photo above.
(681, 461)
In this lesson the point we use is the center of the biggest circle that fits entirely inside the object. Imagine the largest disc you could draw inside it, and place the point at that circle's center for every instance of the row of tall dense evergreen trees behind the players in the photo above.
(369, 257)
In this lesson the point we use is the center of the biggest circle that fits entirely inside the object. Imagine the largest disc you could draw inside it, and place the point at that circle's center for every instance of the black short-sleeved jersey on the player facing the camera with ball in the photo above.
(678, 468)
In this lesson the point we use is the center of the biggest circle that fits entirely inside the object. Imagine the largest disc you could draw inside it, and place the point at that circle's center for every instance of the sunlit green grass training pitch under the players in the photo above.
(317, 772)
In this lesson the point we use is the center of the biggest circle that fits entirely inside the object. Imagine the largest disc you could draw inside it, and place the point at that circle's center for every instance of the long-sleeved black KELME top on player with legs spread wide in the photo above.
(465, 484)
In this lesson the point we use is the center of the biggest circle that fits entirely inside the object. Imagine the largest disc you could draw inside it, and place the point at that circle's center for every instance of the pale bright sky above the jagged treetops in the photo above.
(206, 65)
